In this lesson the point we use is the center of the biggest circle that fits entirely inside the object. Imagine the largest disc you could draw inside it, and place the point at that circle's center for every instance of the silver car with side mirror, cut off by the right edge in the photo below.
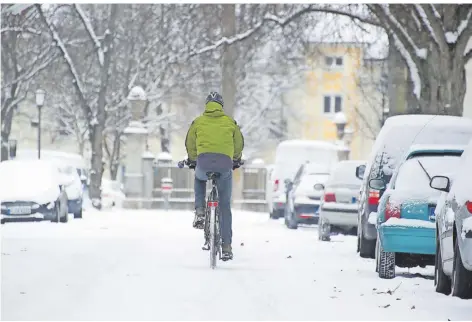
(453, 266)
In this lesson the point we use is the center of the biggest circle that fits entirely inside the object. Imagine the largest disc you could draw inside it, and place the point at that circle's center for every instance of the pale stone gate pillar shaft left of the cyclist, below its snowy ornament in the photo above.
(135, 147)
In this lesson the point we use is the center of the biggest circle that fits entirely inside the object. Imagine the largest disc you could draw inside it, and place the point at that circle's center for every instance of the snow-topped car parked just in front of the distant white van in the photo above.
(304, 194)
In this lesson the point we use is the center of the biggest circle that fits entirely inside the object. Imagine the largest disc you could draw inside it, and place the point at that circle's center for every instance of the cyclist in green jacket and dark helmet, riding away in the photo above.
(215, 143)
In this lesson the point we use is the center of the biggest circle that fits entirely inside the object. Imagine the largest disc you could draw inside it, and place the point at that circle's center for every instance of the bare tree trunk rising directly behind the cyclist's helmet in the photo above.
(228, 60)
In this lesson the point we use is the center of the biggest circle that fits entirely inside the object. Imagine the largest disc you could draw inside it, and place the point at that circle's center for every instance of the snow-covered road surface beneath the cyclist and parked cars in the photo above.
(137, 265)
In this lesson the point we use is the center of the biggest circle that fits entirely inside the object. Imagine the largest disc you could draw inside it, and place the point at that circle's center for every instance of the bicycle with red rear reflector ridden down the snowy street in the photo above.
(211, 227)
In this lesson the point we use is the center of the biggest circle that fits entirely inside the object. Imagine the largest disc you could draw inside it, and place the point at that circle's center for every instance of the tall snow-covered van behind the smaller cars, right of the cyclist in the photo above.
(289, 156)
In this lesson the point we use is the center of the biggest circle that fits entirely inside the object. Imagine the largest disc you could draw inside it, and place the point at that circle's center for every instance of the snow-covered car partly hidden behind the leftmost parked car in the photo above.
(73, 187)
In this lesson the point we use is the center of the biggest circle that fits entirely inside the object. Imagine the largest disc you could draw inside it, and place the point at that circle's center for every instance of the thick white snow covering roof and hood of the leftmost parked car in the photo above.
(29, 180)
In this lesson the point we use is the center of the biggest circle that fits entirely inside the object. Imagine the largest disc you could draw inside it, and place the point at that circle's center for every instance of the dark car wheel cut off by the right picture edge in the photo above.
(461, 277)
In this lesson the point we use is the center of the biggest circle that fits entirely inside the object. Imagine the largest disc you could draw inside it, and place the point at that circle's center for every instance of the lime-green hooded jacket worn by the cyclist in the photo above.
(214, 132)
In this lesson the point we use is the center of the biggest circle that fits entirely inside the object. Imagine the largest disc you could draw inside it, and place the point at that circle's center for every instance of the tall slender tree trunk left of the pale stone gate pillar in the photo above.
(96, 137)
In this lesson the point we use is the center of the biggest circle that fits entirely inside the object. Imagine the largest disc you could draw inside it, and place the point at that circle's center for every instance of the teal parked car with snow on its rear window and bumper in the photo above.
(405, 220)
